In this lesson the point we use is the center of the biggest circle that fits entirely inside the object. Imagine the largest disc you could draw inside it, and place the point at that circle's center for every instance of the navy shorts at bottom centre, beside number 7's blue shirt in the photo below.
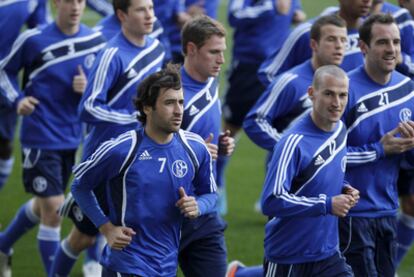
(202, 247)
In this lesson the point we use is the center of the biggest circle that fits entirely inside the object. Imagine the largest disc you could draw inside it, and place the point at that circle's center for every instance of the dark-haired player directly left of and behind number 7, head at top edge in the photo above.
(107, 107)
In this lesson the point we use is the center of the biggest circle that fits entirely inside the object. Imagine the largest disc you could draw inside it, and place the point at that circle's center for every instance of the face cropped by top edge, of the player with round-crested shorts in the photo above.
(69, 13)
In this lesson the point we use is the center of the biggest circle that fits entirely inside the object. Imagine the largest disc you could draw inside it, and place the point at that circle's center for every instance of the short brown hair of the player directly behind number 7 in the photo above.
(199, 30)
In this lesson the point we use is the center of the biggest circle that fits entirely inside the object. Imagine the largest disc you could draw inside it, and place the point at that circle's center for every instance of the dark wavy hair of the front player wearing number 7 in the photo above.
(149, 89)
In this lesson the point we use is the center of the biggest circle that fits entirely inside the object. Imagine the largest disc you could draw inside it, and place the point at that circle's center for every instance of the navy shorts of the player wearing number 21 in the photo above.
(369, 245)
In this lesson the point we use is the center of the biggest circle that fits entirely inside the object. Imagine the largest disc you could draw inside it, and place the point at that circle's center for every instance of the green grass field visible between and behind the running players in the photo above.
(245, 174)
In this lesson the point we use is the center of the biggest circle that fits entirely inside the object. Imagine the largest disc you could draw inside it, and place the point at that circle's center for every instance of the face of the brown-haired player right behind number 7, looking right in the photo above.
(209, 58)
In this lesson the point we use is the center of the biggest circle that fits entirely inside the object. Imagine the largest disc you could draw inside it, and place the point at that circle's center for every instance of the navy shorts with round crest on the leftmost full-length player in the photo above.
(47, 172)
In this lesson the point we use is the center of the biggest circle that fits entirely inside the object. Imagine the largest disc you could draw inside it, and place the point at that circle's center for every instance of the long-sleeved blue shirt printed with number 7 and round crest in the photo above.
(143, 180)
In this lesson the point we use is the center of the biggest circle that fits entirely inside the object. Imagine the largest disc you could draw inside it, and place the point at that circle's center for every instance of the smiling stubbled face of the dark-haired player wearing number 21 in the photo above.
(384, 50)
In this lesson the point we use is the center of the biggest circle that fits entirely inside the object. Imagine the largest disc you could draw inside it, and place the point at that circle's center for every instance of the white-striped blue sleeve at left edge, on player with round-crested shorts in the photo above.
(10, 66)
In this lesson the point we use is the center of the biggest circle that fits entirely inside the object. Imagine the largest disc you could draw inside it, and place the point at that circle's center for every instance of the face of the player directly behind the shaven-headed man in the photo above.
(330, 49)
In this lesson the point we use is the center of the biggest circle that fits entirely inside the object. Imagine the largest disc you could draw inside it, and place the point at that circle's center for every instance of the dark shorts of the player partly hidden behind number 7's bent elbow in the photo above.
(72, 210)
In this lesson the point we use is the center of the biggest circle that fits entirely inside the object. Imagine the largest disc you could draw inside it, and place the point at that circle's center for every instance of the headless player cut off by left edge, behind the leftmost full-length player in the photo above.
(13, 15)
